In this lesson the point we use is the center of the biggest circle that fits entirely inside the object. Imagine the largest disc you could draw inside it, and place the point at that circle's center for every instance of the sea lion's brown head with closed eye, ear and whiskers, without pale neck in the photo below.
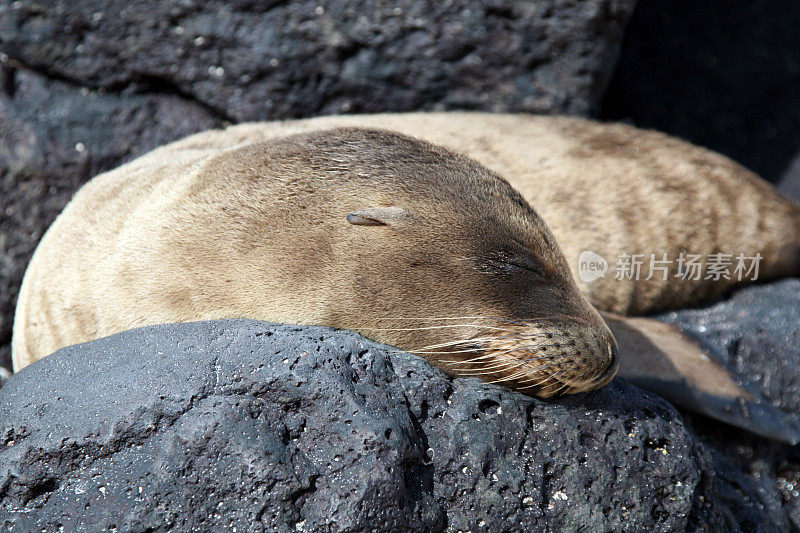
(424, 249)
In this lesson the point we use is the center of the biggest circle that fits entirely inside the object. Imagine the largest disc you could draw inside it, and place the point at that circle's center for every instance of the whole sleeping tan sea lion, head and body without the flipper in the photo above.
(131, 247)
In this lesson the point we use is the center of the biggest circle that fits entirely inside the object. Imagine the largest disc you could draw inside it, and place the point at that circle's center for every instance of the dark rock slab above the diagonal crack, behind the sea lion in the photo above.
(258, 60)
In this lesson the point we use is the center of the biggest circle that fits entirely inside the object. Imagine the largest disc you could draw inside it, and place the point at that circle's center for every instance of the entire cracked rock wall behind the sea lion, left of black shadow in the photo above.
(85, 86)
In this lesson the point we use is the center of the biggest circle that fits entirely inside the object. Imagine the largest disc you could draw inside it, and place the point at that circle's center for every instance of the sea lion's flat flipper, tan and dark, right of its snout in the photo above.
(661, 358)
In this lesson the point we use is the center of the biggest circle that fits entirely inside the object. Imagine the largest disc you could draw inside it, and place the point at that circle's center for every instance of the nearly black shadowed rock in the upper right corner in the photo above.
(725, 75)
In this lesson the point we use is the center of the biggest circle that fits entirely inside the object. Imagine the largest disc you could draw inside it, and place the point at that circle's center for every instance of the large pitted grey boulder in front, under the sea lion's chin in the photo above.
(246, 424)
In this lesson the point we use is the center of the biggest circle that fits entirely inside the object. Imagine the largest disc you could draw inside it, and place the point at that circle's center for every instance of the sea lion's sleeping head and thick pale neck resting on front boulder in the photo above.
(403, 241)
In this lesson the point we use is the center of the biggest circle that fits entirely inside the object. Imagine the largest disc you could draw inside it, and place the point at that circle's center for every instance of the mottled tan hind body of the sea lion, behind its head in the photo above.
(607, 188)
